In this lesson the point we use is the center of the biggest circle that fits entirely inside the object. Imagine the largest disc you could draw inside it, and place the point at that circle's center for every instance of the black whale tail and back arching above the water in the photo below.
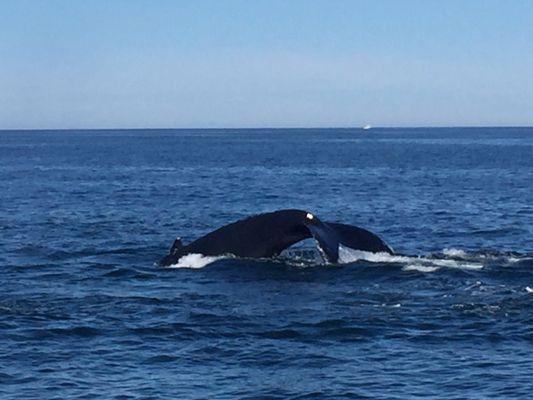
(267, 235)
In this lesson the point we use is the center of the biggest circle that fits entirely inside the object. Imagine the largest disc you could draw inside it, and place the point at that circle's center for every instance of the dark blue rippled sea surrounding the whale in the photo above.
(86, 313)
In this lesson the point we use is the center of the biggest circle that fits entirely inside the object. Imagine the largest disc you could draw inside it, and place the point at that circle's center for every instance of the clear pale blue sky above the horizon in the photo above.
(265, 63)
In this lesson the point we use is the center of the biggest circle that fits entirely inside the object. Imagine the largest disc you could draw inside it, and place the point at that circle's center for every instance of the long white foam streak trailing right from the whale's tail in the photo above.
(347, 255)
